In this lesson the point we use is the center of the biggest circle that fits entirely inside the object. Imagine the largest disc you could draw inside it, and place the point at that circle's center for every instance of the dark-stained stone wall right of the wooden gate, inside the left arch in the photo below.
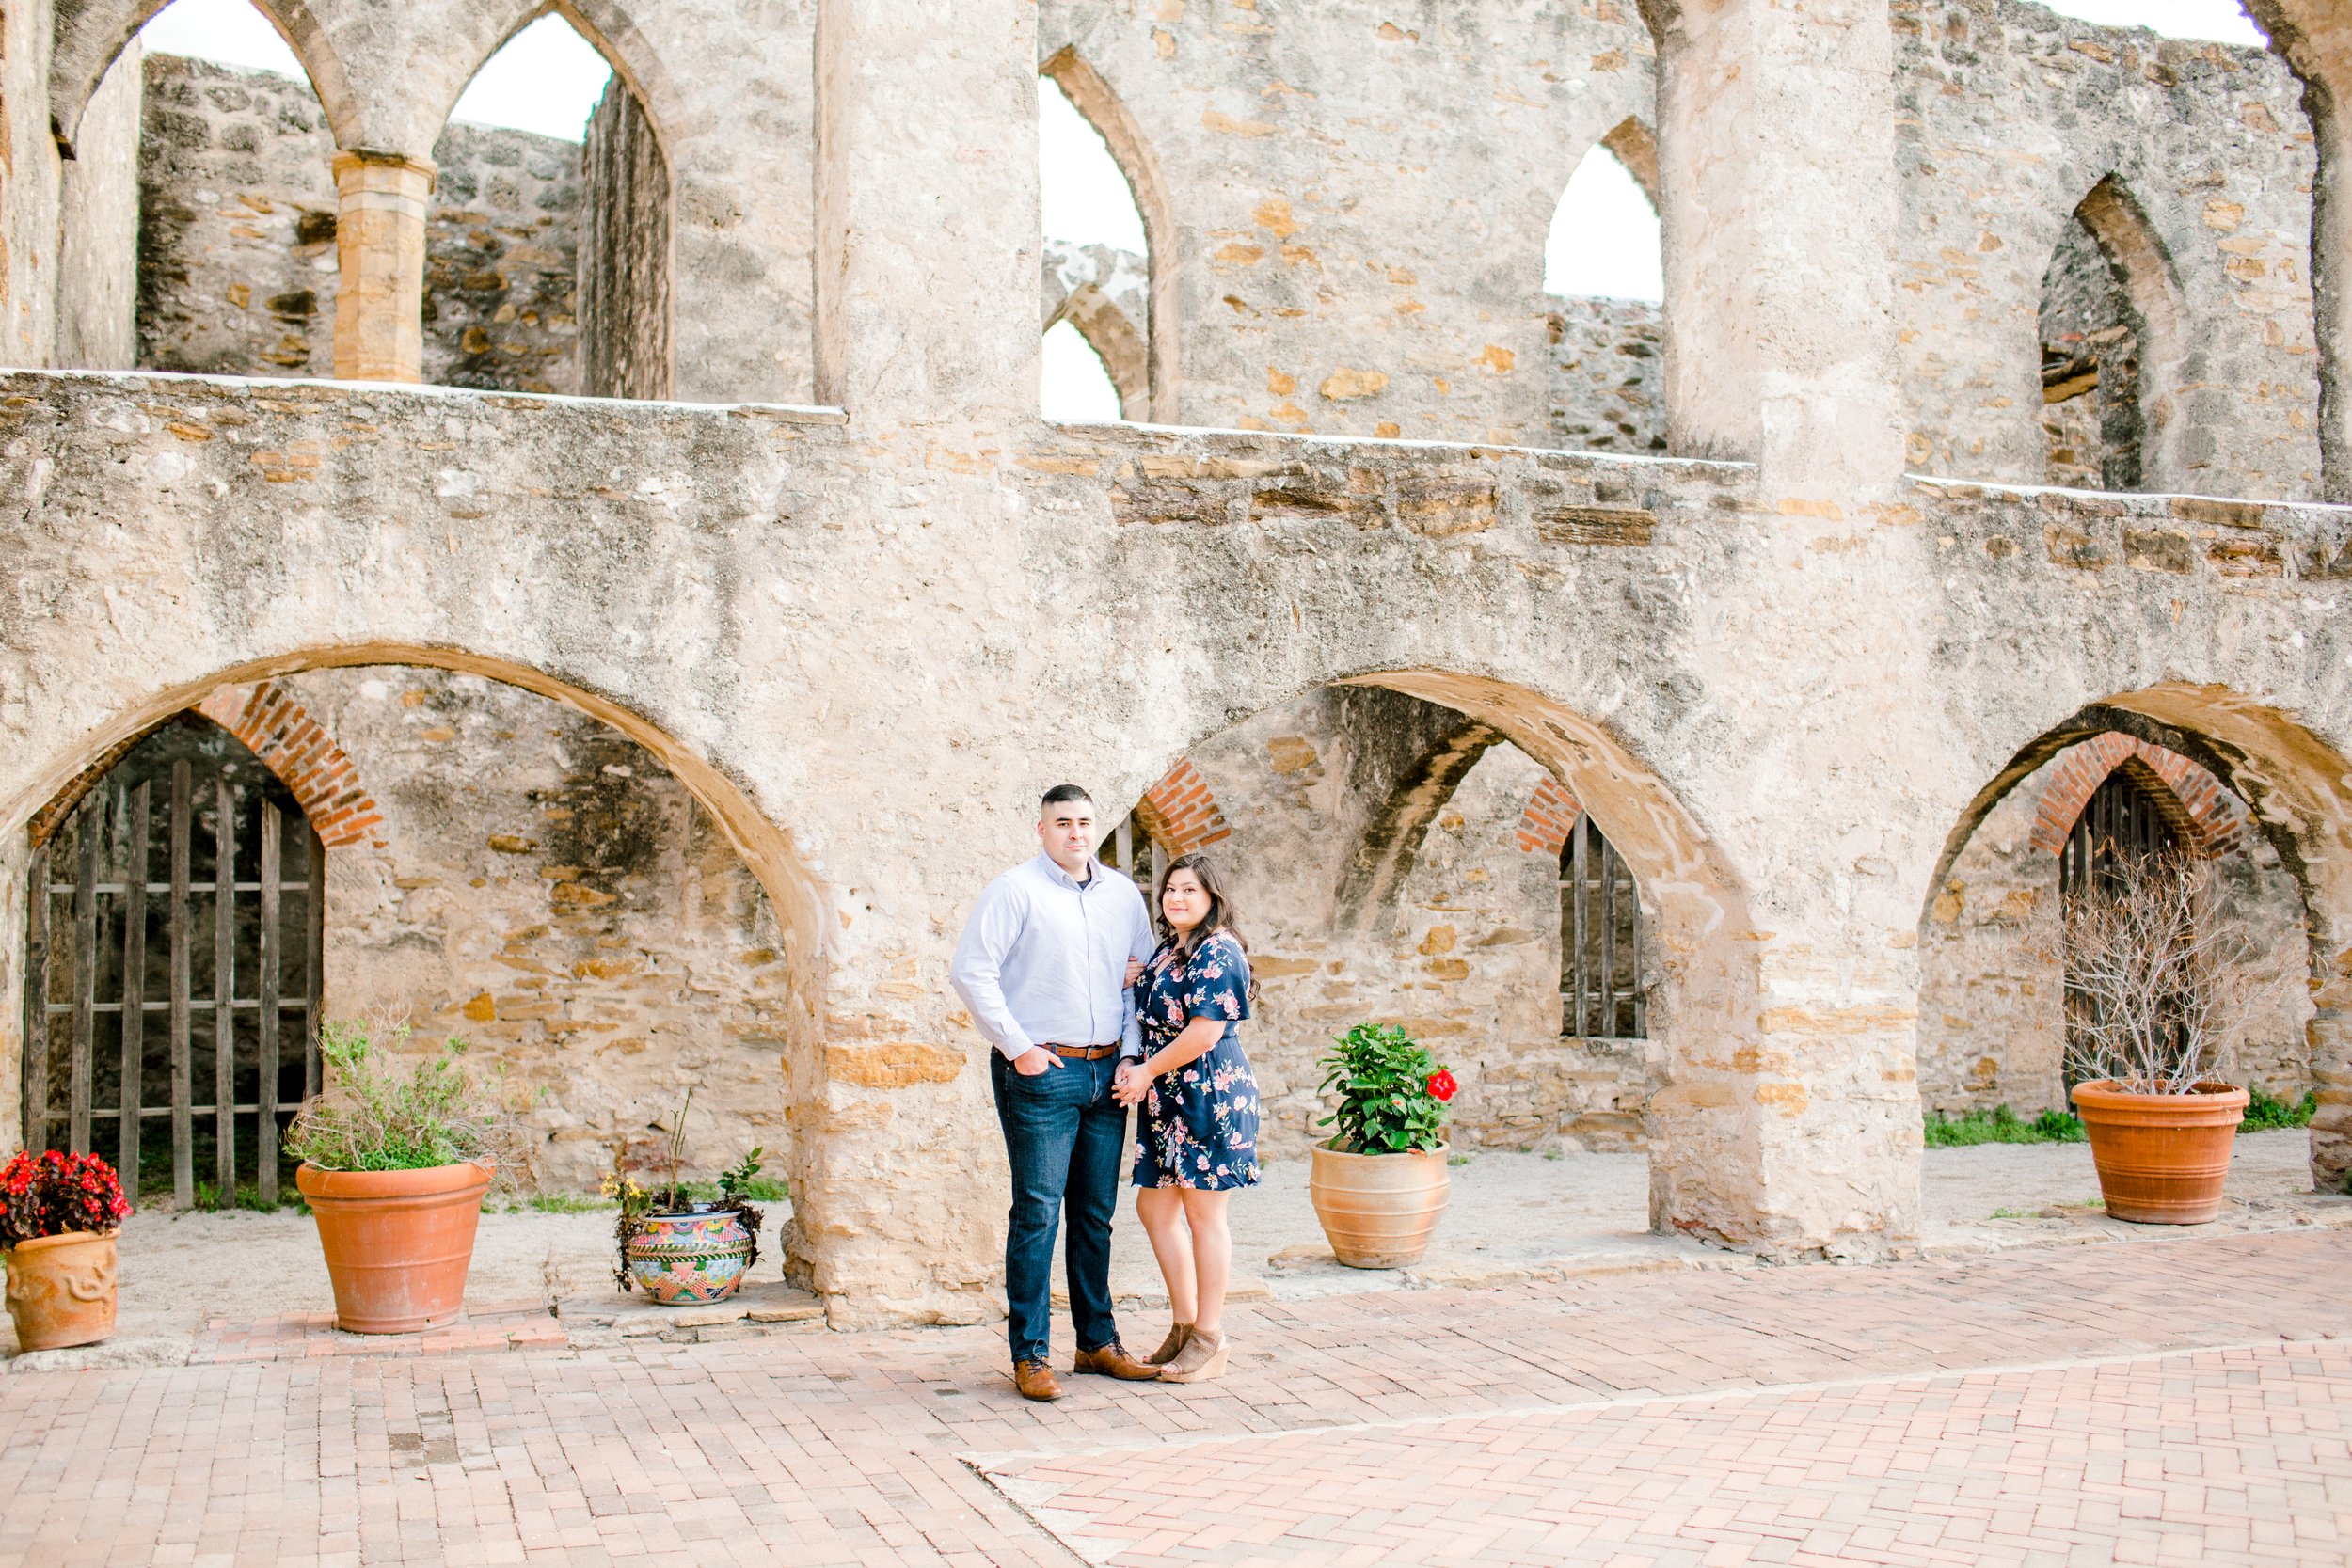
(544, 890)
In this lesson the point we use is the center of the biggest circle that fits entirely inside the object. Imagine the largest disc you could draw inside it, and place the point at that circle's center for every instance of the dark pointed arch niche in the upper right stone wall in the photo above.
(2113, 333)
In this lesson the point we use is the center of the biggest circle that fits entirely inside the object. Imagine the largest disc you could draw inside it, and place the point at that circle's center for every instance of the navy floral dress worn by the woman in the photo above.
(1201, 1123)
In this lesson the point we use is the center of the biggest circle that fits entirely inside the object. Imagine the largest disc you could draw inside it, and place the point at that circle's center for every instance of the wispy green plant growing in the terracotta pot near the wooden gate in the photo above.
(380, 1115)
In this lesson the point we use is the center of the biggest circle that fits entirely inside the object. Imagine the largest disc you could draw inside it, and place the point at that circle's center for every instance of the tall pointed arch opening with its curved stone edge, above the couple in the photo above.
(1109, 234)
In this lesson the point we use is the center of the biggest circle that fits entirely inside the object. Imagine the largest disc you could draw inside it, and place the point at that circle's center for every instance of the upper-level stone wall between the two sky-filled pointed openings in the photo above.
(1363, 196)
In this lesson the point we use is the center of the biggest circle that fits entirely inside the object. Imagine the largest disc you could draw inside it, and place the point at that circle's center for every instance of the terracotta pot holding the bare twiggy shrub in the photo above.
(2163, 1160)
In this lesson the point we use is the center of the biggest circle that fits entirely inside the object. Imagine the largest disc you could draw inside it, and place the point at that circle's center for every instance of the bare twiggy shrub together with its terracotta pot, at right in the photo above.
(2160, 984)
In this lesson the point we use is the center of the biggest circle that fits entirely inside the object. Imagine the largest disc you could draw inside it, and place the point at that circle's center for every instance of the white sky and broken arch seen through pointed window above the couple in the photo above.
(1097, 257)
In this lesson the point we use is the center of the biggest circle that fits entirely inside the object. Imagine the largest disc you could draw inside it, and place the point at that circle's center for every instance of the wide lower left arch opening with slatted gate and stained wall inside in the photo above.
(535, 871)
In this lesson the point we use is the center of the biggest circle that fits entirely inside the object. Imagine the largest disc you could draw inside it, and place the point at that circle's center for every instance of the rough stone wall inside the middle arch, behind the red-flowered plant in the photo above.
(1464, 951)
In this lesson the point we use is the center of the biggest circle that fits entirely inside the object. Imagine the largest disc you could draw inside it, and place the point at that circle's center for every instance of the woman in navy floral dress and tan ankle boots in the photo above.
(1198, 1134)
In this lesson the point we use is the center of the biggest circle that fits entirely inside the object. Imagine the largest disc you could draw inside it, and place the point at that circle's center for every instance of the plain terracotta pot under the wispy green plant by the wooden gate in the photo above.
(399, 1242)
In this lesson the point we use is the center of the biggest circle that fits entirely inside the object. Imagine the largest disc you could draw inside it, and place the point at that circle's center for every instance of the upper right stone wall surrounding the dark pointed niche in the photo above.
(2010, 116)
